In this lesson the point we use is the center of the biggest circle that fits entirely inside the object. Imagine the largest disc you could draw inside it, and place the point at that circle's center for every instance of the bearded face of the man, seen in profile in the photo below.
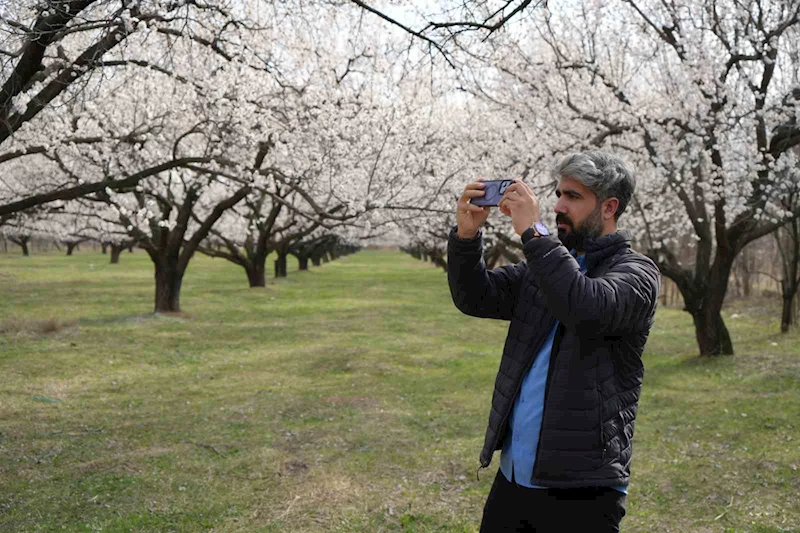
(578, 214)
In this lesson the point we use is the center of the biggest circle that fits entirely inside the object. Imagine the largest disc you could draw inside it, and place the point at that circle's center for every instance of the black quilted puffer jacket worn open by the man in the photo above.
(595, 374)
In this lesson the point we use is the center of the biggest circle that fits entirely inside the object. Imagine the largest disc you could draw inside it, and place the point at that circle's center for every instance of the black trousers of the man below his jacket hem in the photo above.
(513, 508)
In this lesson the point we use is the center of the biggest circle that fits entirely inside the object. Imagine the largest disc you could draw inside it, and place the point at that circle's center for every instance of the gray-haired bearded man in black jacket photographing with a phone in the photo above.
(581, 306)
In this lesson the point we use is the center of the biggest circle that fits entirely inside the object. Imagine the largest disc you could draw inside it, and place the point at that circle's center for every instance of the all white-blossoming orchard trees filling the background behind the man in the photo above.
(180, 123)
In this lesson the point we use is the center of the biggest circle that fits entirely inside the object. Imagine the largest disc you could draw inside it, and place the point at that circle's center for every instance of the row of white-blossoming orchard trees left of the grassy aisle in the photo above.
(233, 128)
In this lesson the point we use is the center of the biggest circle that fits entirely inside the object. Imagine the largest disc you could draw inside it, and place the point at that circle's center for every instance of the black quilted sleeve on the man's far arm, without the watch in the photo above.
(477, 291)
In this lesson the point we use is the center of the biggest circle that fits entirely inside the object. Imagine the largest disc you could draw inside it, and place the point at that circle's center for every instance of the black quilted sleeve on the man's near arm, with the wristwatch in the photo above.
(622, 300)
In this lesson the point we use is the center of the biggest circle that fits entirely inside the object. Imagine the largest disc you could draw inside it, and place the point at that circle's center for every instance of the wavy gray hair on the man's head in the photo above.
(606, 175)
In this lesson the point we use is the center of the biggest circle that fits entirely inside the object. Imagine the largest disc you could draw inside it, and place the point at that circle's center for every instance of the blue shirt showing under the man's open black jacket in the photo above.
(525, 423)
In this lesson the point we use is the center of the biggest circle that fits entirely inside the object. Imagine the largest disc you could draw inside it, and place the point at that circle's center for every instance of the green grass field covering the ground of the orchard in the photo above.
(349, 398)
